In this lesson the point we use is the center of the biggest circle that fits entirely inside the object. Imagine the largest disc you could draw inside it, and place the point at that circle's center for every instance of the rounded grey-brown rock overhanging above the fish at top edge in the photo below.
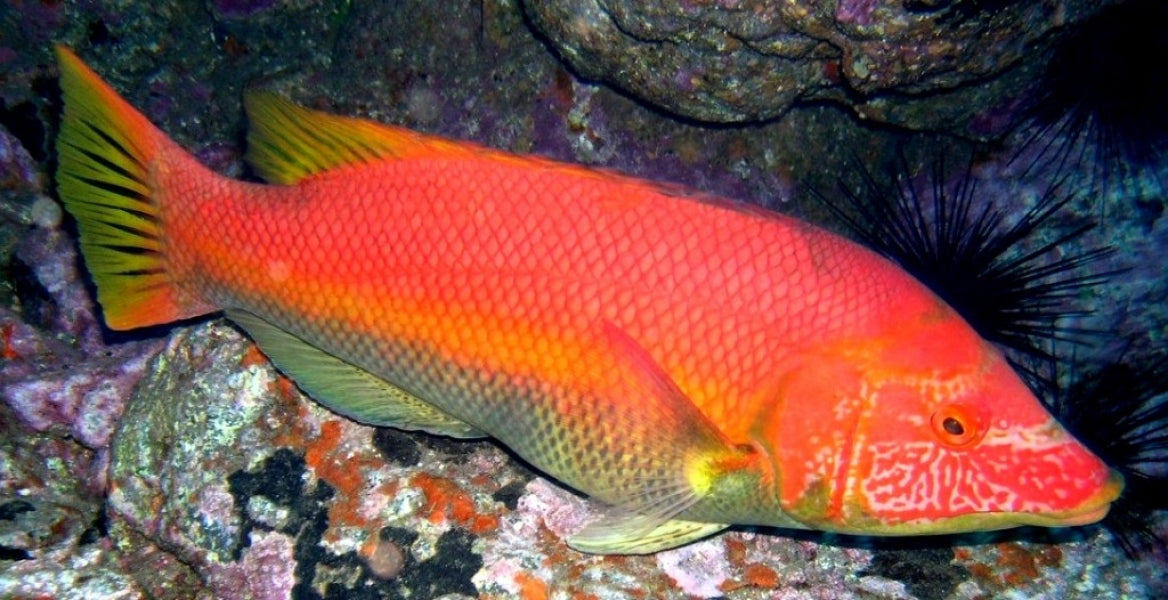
(903, 62)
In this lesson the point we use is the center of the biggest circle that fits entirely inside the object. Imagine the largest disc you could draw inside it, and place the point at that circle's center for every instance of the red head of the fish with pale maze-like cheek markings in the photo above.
(929, 430)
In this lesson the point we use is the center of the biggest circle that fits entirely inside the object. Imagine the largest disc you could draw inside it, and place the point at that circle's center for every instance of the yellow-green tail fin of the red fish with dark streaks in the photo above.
(108, 156)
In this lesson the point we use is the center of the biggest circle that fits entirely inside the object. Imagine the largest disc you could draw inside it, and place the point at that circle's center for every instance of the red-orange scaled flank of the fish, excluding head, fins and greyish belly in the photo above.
(509, 267)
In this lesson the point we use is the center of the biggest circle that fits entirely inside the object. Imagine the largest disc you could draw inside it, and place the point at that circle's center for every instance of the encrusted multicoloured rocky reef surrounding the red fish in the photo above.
(178, 464)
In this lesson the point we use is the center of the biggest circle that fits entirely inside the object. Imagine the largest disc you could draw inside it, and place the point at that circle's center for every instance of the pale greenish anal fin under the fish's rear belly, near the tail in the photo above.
(345, 388)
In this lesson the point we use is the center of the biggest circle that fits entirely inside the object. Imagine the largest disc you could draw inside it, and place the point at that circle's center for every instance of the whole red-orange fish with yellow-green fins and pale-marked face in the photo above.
(689, 362)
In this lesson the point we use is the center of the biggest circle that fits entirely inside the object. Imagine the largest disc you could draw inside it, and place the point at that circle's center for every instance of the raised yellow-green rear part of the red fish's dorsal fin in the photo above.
(288, 143)
